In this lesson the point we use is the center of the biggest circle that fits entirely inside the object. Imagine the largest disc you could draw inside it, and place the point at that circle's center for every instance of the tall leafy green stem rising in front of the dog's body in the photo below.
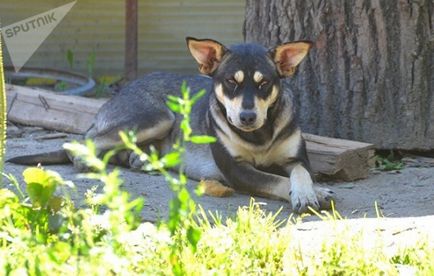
(181, 207)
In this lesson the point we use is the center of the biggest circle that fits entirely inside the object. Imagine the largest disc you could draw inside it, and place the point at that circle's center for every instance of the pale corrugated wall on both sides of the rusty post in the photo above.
(99, 26)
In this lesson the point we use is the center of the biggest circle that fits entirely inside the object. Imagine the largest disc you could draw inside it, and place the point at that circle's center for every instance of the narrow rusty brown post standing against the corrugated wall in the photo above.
(131, 26)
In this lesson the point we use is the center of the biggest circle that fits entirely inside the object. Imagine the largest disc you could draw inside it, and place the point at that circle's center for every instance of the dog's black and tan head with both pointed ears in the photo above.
(247, 76)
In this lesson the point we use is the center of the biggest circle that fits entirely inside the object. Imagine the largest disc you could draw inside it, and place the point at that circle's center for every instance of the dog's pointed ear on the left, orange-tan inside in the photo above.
(207, 52)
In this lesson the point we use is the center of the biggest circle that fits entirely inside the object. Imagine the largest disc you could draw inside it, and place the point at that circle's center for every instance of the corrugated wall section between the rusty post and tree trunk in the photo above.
(165, 24)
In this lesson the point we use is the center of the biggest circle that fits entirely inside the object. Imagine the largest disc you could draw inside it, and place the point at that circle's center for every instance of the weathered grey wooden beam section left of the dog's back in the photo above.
(50, 110)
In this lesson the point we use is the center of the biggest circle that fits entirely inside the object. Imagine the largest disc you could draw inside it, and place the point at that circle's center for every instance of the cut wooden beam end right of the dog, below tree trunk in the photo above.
(339, 159)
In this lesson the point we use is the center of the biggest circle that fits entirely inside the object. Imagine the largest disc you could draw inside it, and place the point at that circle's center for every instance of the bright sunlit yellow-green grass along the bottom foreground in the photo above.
(250, 243)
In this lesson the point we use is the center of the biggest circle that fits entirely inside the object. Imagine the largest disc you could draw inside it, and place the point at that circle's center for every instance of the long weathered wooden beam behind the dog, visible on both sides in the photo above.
(331, 158)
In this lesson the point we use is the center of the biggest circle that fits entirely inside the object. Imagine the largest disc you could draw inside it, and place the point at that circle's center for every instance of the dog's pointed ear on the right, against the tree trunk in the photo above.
(288, 55)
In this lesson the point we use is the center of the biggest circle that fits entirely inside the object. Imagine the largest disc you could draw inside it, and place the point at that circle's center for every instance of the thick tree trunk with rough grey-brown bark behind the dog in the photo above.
(370, 76)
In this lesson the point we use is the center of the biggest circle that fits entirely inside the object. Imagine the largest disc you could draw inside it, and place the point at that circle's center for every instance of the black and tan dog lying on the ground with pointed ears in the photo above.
(259, 148)
